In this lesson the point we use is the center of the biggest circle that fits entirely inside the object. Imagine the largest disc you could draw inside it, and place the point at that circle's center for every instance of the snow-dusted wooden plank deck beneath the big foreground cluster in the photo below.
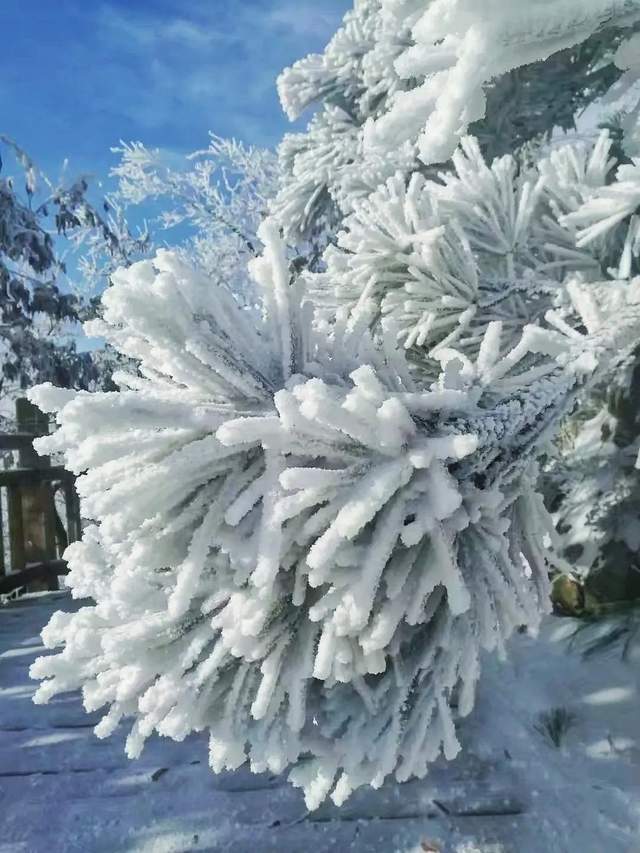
(62, 789)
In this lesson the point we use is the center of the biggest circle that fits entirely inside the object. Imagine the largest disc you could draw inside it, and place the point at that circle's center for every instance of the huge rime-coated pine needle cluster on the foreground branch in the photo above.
(296, 543)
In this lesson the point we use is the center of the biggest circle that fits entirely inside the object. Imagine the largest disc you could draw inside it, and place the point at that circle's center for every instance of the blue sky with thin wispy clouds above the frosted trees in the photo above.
(78, 76)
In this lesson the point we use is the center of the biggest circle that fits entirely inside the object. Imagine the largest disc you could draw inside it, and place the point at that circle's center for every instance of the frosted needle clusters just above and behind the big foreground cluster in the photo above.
(437, 261)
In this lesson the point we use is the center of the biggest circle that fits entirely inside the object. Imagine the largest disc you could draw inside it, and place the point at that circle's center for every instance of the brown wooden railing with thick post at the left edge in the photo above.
(37, 534)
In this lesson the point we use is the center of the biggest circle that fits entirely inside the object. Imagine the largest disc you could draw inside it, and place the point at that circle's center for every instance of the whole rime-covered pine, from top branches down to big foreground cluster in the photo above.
(302, 540)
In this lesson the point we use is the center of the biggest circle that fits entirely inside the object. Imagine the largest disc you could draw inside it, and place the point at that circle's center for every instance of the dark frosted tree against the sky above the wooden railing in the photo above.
(38, 316)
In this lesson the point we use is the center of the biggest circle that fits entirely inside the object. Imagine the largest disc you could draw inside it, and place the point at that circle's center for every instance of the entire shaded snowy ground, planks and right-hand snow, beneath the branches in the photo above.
(513, 791)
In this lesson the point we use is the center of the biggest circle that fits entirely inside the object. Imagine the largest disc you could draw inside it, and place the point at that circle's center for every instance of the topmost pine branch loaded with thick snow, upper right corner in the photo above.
(402, 81)
